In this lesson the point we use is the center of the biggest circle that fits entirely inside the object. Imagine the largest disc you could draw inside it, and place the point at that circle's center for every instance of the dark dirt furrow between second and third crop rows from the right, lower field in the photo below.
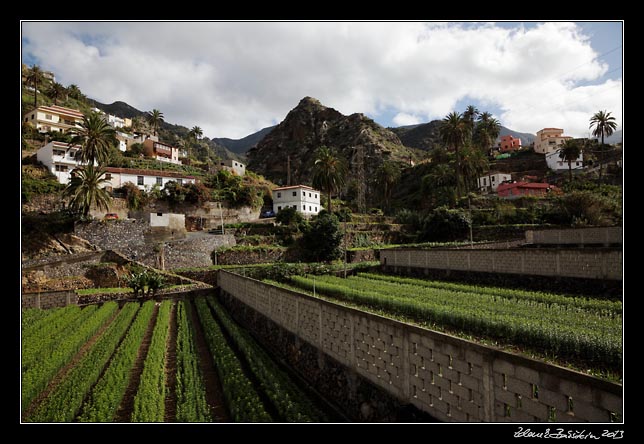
(214, 393)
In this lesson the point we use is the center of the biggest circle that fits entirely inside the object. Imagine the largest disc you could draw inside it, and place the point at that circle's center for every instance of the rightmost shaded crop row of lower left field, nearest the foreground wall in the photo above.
(291, 404)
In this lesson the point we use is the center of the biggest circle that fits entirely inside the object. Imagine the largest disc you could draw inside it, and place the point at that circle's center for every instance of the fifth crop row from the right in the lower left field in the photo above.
(105, 397)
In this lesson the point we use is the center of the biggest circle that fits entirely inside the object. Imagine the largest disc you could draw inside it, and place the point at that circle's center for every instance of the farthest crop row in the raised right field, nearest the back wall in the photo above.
(597, 305)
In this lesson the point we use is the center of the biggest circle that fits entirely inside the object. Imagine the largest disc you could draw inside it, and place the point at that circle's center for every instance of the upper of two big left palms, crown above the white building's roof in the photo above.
(95, 136)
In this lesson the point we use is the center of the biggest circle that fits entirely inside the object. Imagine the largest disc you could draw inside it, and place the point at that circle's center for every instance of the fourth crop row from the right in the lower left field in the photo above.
(149, 403)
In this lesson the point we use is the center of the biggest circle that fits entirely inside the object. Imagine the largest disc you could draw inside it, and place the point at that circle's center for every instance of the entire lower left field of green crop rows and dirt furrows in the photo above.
(144, 363)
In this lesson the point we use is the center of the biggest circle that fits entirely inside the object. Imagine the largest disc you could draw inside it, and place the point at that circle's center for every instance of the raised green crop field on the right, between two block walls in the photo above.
(582, 331)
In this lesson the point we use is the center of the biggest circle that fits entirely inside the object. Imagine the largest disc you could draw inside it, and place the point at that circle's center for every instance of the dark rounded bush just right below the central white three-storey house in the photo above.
(323, 238)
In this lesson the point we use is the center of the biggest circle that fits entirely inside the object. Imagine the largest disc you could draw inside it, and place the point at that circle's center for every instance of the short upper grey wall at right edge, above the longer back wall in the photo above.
(579, 236)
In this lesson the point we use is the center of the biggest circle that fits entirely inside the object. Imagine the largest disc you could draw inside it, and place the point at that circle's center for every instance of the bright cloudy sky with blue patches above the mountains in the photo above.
(234, 78)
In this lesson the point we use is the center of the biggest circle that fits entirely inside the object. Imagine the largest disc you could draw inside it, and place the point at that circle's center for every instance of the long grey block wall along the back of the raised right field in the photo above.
(576, 263)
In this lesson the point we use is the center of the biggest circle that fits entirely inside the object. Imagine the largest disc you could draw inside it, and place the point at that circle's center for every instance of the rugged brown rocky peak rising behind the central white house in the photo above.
(310, 125)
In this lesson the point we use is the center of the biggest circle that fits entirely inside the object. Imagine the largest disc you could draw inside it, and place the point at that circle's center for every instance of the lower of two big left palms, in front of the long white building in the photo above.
(85, 189)
